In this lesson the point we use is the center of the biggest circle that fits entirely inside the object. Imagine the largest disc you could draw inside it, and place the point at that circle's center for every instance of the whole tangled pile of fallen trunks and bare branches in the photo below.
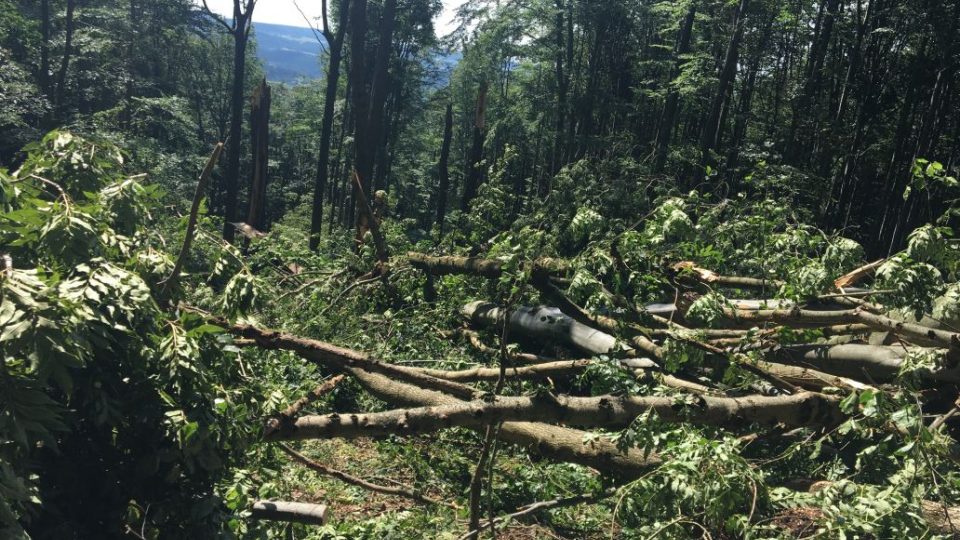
(860, 348)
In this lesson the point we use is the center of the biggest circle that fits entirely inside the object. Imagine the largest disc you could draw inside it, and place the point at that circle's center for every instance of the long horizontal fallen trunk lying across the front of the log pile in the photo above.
(805, 409)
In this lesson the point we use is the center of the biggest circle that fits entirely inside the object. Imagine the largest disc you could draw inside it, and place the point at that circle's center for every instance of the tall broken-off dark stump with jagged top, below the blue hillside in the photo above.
(259, 143)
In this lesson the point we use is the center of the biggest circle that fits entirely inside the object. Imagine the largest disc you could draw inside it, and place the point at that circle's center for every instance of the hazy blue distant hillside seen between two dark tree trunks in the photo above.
(288, 53)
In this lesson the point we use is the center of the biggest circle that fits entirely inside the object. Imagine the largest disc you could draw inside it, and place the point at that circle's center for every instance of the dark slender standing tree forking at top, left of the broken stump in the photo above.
(239, 28)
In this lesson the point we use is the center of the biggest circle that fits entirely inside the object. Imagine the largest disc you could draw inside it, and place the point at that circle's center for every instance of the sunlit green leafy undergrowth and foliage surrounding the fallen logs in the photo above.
(102, 364)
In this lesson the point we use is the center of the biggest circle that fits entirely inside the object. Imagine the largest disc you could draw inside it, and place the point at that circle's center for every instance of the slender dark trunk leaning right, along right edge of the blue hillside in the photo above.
(326, 127)
